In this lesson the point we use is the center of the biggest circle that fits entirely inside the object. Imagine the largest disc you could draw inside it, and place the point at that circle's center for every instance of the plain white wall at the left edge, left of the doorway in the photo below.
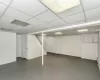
(7, 47)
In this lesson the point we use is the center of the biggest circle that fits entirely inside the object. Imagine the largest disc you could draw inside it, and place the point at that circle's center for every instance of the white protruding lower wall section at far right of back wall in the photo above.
(89, 51)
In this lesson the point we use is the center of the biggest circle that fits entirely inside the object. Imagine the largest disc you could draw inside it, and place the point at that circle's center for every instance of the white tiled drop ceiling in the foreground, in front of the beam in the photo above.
(41, 18)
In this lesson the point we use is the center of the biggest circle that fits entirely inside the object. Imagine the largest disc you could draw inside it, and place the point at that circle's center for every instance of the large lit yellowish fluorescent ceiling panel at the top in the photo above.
(60, 5)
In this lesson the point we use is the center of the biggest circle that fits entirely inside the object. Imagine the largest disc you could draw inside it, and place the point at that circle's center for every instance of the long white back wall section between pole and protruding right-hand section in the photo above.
(69, 45)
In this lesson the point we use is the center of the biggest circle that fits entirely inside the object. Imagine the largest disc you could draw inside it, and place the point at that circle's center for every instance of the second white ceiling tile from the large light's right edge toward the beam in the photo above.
(74, 18)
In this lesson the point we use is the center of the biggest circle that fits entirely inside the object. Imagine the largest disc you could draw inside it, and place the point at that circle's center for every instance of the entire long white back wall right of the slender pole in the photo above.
(84, 46)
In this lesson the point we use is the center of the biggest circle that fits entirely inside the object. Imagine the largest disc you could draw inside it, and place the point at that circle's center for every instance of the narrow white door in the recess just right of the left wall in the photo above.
(21, 45)
